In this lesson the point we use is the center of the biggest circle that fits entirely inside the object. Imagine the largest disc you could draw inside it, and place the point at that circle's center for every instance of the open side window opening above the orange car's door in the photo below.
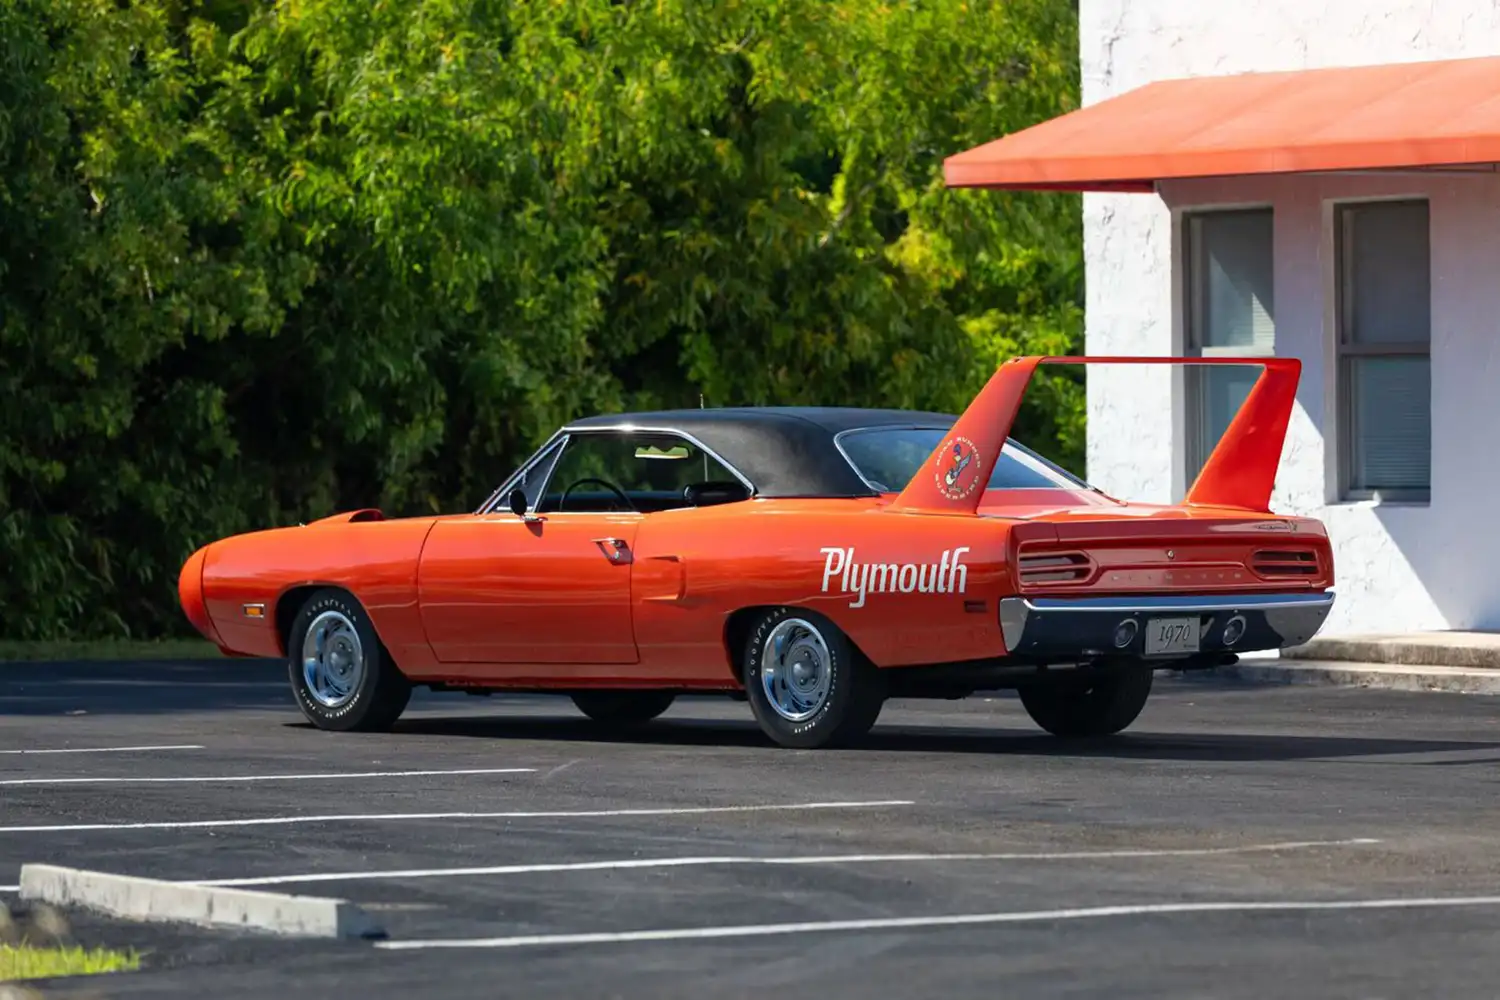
(629, 472)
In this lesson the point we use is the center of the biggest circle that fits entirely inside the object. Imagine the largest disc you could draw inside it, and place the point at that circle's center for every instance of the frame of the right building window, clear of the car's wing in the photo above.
(1346, 352)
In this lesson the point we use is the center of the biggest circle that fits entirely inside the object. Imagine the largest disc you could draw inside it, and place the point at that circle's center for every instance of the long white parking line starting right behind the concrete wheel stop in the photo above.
(751, 860)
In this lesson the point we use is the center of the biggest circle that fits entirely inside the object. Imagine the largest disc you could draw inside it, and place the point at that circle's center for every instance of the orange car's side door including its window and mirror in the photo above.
(556, 585)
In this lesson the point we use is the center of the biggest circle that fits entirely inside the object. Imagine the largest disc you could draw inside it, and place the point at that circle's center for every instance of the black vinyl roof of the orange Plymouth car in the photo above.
(782, 451)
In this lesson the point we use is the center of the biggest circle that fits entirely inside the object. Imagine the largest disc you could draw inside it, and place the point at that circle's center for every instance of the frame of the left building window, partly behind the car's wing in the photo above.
(1195, 325)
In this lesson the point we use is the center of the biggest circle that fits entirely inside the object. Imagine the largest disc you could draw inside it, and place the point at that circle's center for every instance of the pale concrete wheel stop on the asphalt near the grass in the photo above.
(206, 906)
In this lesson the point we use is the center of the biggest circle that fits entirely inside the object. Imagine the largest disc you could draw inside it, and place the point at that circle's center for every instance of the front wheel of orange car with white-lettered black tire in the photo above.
(340, 672)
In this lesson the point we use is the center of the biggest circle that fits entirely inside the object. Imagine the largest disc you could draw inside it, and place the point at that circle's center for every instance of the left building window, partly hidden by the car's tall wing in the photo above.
(1229, 311)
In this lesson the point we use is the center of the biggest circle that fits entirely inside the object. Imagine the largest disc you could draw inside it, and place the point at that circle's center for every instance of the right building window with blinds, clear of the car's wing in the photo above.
(1385, 335)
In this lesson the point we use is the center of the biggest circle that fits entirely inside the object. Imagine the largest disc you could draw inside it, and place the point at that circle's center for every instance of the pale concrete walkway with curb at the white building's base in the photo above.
(1454, 662)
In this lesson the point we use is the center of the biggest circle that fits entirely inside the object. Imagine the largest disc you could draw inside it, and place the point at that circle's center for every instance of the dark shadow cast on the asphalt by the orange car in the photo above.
(896, 738)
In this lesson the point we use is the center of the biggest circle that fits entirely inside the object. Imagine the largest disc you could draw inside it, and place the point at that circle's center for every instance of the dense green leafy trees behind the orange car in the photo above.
(269, 260)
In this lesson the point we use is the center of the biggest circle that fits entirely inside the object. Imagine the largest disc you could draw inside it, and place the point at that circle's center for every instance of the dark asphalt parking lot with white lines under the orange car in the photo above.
(1237, 843)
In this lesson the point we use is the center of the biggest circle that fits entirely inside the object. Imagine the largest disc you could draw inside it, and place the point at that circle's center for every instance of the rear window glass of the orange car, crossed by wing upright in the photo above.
(889, 458)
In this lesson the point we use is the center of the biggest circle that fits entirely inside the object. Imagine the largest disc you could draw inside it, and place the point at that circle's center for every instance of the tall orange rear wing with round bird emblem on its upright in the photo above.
(1240, 473)
